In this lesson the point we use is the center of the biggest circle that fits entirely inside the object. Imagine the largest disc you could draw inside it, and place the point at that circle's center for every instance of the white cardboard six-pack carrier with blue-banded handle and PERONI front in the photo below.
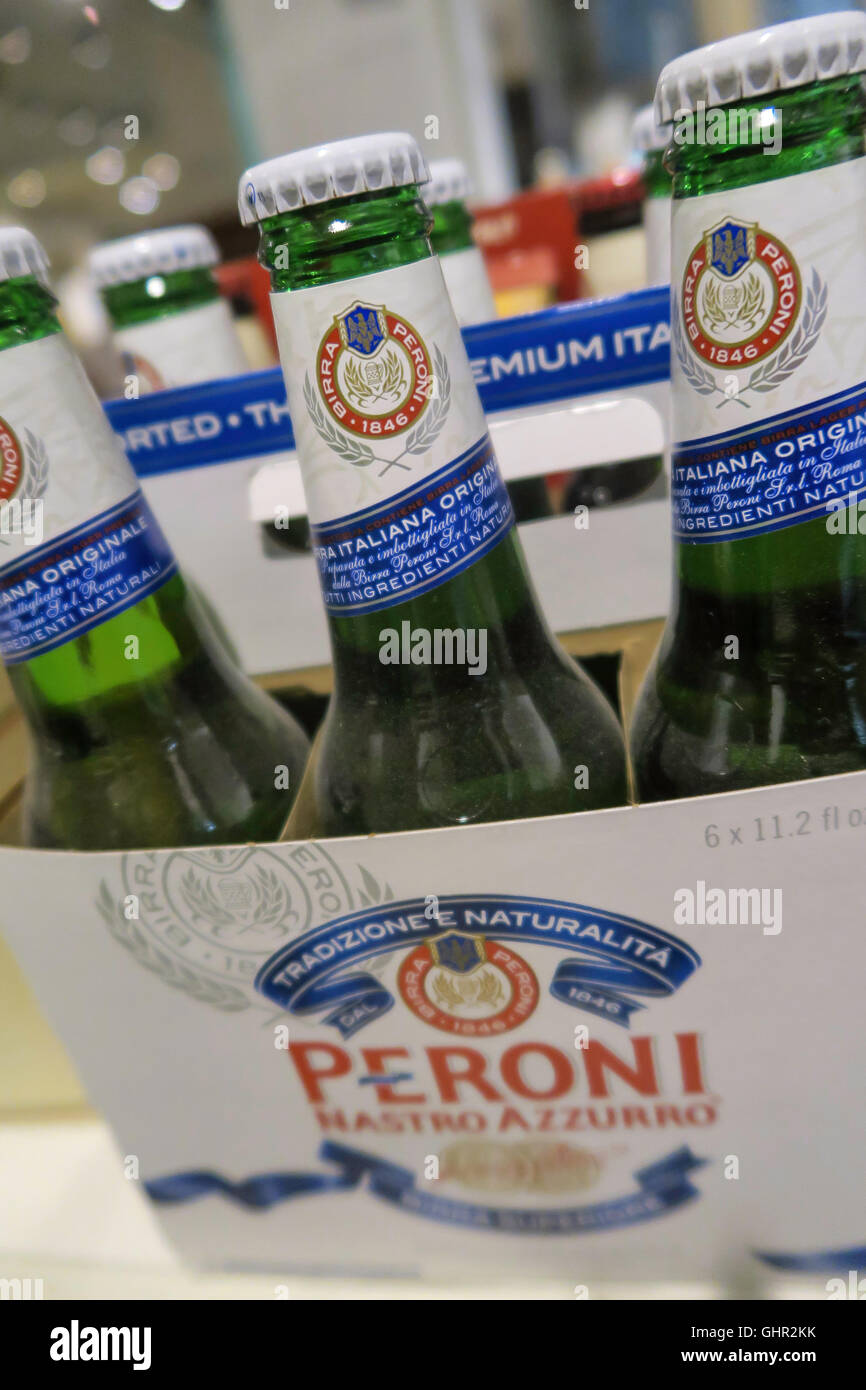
(509, 1049)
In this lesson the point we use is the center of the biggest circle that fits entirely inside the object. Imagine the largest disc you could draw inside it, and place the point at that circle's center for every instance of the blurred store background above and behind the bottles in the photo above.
(127, 115)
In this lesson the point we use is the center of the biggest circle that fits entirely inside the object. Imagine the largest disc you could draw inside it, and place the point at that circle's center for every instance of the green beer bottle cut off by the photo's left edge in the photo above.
(142, 730)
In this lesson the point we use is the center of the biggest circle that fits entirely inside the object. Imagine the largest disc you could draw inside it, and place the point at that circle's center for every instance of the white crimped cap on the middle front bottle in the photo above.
(363, 165)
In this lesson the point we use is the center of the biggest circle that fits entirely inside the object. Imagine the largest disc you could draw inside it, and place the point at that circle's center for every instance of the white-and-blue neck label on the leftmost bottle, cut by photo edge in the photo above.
(79, 541)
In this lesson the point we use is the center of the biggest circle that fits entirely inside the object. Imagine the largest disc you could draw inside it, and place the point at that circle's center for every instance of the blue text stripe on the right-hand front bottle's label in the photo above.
(771, 475)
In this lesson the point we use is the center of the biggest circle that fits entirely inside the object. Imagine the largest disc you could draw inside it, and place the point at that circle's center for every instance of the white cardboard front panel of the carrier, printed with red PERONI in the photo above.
(179, 1049)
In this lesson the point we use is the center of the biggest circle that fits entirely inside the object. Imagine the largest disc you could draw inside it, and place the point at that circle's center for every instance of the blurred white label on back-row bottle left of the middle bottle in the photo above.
(181, 350)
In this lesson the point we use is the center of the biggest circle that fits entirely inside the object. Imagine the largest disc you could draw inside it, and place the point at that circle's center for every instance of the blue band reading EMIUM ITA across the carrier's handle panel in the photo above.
(555, 354)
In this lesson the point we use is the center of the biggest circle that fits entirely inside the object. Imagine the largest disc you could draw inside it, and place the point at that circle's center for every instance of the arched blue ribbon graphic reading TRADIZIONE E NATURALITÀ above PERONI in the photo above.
(615, 957)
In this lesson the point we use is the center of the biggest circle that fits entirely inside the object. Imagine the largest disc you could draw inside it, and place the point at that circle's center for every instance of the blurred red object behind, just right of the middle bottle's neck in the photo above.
(539, 220)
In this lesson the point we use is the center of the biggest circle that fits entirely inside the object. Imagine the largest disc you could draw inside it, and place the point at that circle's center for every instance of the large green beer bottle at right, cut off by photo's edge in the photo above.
(761, 675)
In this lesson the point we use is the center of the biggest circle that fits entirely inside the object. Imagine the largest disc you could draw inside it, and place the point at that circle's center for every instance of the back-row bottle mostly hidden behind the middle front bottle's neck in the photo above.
(451, 238)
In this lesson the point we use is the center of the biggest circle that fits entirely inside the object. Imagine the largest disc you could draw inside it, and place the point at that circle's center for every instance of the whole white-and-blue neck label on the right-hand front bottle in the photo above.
(769, 354)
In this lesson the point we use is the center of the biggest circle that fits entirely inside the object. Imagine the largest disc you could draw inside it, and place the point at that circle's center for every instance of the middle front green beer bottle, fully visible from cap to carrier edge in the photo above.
(452, 703)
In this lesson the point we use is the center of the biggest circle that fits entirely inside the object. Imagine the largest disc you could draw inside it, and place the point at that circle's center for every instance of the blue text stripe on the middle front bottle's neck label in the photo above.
(420, 539)
